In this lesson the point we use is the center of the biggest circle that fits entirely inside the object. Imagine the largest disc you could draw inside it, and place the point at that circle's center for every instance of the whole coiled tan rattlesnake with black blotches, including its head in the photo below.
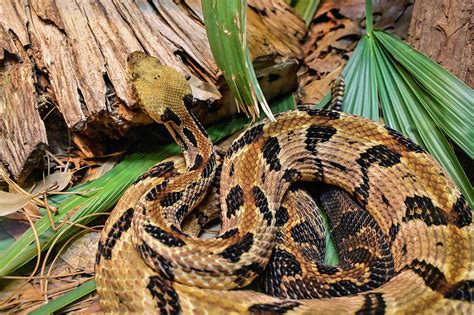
(404, 237)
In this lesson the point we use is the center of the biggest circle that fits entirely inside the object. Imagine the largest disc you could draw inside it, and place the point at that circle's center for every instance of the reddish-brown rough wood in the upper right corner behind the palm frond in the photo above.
(442, 29)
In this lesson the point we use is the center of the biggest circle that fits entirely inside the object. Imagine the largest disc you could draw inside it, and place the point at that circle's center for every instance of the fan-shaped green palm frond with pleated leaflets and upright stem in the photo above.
(416, 96)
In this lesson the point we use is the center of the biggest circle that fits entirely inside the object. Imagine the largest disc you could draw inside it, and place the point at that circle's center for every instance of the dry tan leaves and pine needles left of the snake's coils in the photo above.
(25, 293)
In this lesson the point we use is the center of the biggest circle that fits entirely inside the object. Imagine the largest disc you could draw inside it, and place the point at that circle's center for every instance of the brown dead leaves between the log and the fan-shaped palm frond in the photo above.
(337, 27)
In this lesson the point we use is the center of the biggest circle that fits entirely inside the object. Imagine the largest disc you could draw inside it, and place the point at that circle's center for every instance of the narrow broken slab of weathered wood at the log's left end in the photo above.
(22, 132)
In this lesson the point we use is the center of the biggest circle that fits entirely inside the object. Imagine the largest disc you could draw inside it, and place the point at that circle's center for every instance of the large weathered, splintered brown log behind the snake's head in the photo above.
(63, 63)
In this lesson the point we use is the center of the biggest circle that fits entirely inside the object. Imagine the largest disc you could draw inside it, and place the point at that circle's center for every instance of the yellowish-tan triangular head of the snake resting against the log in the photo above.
(158, 89)
